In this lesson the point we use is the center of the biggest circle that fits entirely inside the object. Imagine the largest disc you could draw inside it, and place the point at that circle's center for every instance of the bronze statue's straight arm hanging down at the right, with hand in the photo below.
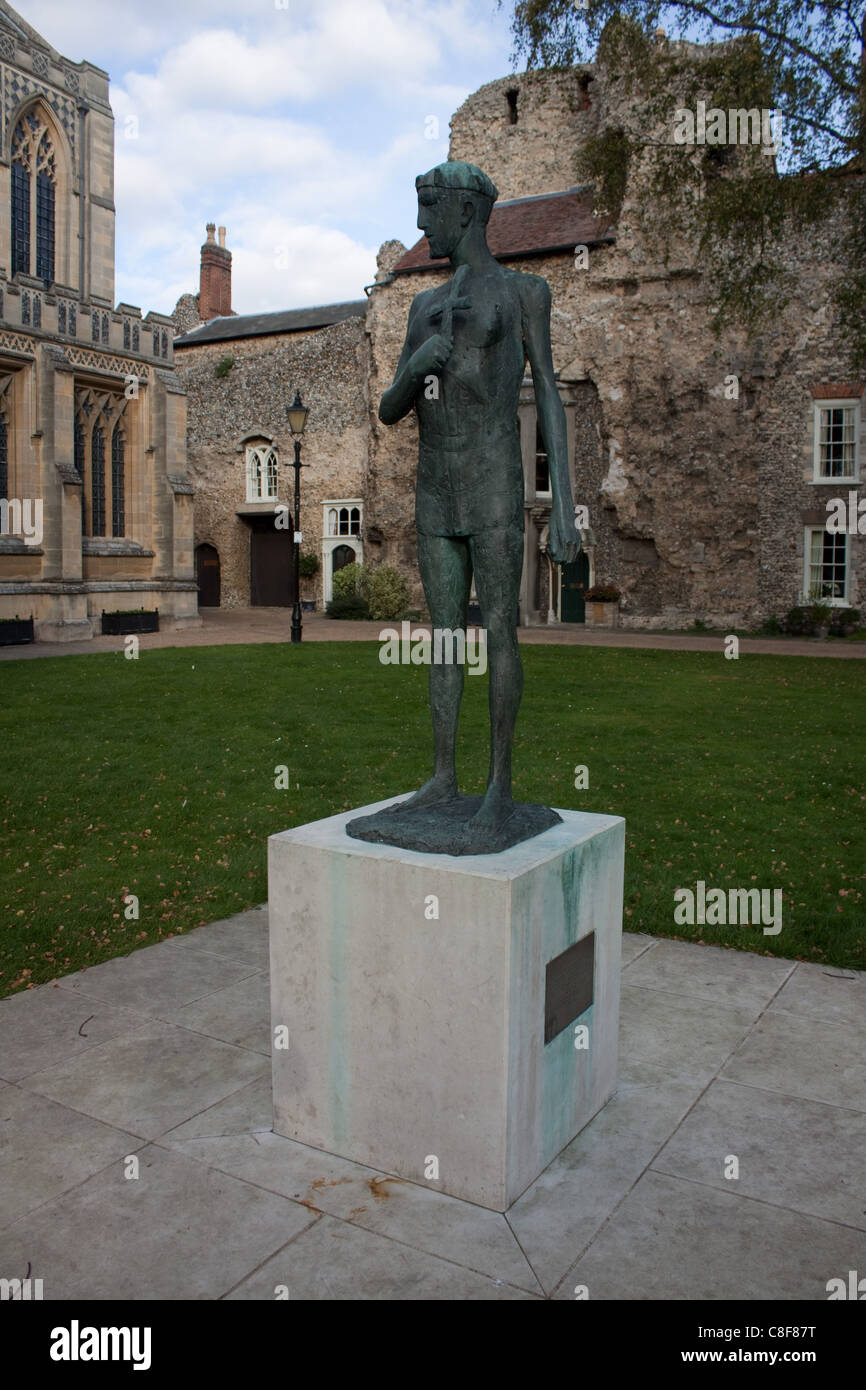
(536, 304)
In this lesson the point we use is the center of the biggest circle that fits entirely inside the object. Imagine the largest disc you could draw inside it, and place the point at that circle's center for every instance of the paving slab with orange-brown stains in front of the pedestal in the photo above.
(407, 1213)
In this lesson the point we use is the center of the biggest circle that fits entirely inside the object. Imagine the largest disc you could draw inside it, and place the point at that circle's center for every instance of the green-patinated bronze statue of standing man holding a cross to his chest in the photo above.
(462, 369)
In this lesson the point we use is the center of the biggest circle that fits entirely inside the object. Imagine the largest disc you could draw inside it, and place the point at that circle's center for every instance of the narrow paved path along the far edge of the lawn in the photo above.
(233, 628)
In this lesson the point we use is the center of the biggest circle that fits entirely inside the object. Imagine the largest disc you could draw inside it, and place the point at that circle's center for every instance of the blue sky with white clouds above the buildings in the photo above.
(301, 127)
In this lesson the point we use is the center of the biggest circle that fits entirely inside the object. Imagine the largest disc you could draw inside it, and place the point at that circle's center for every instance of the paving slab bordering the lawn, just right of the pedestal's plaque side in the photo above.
(746, 982)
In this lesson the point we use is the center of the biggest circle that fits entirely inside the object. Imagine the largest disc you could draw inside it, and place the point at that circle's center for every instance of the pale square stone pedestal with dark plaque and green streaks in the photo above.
(451, 1021)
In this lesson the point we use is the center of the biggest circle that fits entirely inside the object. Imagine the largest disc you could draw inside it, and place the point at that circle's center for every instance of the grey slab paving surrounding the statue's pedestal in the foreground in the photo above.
(163, 1057)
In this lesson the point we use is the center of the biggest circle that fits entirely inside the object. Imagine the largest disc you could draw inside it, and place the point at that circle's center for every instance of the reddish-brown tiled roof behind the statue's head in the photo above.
(529, 227)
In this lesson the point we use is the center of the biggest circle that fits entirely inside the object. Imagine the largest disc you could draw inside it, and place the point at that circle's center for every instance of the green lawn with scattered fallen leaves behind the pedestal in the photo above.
(156, 778)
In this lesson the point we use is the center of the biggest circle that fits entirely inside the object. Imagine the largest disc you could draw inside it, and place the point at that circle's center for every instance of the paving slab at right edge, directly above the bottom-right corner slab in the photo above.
(792, 1153)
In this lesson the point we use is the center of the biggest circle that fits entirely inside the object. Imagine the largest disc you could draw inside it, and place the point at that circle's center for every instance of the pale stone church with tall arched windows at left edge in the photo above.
(95, 501)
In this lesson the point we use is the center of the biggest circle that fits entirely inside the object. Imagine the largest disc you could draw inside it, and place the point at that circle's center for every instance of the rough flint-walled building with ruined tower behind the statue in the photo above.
(703, 500)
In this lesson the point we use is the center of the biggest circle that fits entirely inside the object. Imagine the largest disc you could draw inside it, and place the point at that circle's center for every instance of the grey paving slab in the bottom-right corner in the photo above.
(680, 1241)
